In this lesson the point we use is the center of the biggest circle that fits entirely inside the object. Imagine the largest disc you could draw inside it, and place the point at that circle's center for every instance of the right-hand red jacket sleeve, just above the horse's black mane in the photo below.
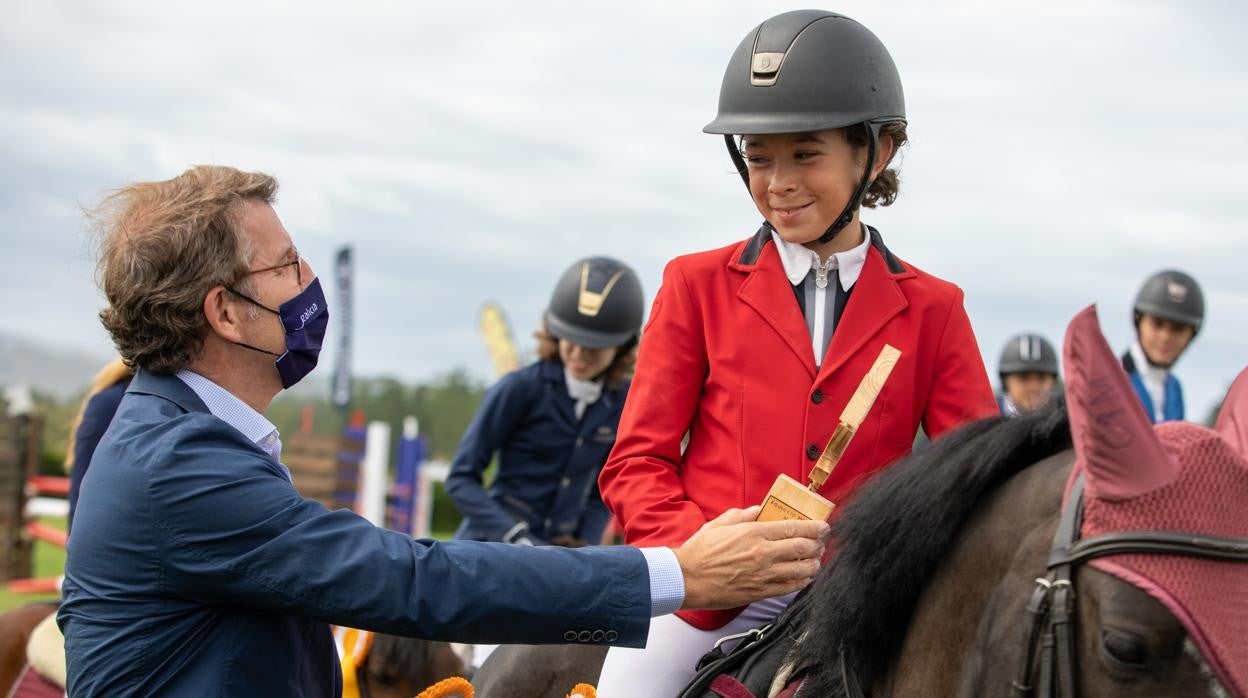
(960, 389)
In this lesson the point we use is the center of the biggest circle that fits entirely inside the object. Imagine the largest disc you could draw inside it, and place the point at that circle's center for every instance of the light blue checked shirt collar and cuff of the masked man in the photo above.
(667, 582)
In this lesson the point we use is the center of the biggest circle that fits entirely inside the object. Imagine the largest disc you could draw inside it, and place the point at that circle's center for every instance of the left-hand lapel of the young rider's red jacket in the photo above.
(768, 292)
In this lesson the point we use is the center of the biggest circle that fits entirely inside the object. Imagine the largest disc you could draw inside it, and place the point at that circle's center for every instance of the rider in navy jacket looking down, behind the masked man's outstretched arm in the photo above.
(552, 424)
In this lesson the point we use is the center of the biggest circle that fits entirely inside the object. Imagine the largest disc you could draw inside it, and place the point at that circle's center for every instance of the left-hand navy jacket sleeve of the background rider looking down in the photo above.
(502, 411)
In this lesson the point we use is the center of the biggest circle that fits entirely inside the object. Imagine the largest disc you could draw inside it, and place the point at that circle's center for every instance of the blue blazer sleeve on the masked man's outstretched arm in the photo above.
(236, 533)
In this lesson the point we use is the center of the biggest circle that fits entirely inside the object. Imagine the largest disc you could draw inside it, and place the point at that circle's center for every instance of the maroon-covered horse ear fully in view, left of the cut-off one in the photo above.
(1120, 453)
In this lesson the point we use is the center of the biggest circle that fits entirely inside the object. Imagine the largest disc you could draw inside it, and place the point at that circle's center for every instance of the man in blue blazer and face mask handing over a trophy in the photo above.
(195, 569)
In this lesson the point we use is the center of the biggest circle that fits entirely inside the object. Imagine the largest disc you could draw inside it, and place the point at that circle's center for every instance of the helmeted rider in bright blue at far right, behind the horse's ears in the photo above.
(1168, 315)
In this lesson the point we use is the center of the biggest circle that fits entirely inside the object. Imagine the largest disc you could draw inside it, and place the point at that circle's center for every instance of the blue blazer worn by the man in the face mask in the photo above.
(195, 569)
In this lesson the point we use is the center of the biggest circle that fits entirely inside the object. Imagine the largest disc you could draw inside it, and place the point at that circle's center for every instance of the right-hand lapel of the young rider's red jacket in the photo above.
(875, 302)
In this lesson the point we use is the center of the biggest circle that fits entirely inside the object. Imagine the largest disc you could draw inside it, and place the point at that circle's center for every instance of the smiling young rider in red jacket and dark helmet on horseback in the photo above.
(752, 351)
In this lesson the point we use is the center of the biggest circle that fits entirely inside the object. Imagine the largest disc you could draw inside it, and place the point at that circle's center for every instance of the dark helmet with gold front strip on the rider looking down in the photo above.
(597, 304)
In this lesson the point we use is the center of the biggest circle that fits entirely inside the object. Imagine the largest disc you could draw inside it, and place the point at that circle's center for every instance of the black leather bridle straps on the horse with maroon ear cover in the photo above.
(1050, 616)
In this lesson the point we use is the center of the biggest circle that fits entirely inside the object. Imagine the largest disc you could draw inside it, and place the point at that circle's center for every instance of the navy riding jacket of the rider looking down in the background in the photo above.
(548, 460)
